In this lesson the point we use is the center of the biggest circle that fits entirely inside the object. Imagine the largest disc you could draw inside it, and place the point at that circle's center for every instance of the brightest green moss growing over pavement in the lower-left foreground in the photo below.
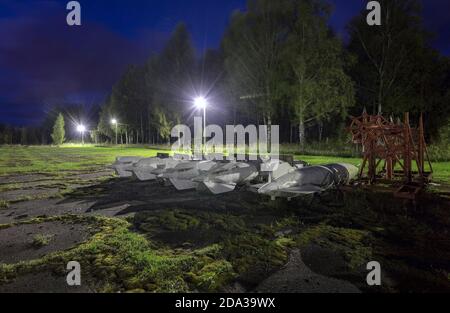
(121, 260)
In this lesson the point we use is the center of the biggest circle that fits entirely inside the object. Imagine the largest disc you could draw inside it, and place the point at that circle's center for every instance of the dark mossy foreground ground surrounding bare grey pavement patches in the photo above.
(182, 249)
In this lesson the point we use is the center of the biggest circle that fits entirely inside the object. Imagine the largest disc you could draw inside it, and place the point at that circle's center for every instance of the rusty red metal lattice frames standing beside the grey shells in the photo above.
(390, 149)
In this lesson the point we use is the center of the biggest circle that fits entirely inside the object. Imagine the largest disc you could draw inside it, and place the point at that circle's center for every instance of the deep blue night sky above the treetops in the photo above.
(44, 62)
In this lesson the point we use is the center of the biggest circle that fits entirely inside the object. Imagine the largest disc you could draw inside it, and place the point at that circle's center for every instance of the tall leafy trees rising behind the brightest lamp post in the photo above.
(281, 63)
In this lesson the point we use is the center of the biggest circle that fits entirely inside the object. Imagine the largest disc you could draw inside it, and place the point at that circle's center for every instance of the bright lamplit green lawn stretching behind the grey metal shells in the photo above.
(46, 159)
